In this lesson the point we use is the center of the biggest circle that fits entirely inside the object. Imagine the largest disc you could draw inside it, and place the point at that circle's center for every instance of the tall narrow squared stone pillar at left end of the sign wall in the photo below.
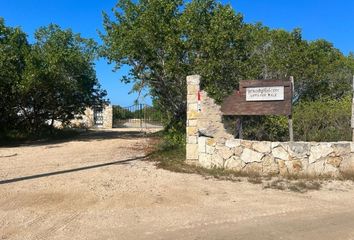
(192, 118)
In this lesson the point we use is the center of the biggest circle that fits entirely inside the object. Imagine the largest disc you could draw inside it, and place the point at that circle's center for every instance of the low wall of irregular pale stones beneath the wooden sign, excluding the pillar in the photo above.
(272, 158)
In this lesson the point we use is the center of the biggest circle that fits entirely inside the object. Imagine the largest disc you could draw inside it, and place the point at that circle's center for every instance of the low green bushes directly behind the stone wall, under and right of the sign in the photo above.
(321, 120)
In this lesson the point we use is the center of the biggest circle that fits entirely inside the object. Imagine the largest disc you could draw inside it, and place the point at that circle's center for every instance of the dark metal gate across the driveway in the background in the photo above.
(136, 116)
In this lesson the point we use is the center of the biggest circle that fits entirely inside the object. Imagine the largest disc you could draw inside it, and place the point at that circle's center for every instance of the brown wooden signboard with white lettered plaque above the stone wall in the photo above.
(260, 97)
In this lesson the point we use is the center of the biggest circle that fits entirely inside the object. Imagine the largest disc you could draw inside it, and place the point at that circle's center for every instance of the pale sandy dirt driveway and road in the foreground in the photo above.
(99, 187)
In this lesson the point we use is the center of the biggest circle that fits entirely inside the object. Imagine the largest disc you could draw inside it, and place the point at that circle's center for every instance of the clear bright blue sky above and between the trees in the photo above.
(328, 19)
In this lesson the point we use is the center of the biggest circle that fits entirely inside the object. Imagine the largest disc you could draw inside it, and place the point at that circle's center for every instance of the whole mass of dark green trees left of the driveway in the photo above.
(51, 79)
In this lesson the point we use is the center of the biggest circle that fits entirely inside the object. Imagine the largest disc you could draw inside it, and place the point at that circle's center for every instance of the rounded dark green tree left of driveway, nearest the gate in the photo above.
(59, 80)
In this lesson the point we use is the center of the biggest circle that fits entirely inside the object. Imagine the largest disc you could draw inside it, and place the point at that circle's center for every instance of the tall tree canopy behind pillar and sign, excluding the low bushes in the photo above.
(163, 41)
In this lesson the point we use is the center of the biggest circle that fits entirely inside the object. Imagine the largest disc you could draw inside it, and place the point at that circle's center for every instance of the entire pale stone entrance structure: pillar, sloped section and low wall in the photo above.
(209, 145)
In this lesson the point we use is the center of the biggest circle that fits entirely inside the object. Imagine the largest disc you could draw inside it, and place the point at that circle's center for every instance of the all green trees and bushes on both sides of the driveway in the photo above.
(163, 41)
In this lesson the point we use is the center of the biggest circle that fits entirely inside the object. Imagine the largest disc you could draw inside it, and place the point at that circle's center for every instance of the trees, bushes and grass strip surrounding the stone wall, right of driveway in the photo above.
(164, 41)
